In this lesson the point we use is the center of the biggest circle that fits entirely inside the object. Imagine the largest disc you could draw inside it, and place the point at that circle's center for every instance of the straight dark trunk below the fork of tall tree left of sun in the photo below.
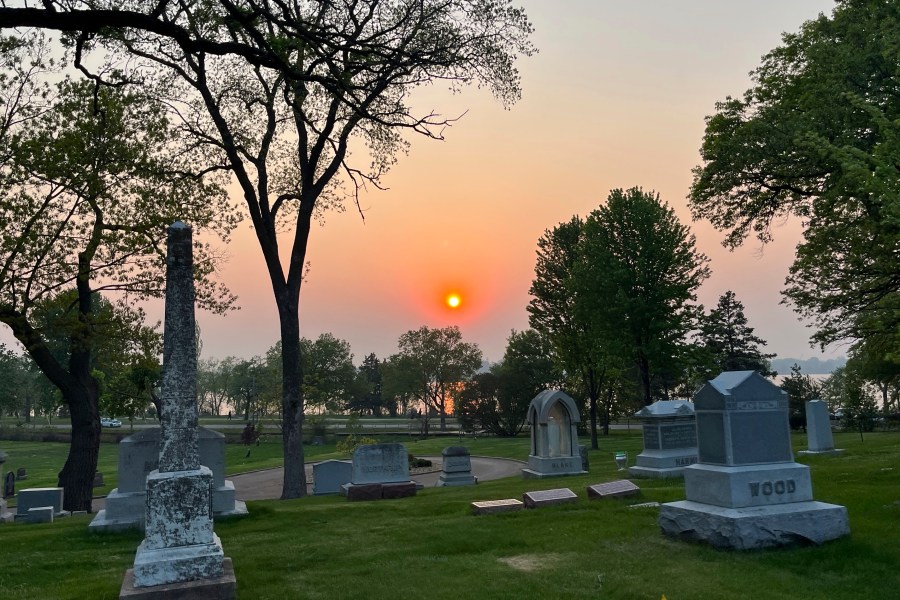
(294, 485)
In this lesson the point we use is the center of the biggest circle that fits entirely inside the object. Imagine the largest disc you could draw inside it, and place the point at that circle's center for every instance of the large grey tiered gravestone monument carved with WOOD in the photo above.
(746, 491)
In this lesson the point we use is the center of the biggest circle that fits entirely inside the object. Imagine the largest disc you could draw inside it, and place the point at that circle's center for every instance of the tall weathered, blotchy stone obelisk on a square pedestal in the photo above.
(180, 548)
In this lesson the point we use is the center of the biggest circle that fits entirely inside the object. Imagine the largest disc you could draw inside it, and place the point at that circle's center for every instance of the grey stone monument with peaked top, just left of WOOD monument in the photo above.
(670, 439)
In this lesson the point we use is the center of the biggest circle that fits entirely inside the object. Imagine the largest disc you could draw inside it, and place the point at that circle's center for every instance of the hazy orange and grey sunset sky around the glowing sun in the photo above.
(615, 98)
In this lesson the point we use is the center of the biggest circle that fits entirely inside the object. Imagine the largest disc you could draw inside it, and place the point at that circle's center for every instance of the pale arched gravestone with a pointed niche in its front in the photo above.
(554, 419)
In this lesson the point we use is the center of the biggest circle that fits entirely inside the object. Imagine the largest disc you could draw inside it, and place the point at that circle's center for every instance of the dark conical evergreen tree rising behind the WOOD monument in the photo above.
(730, 342)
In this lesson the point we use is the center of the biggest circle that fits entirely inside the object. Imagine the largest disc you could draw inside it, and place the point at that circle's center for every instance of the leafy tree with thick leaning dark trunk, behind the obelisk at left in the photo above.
(89, 184)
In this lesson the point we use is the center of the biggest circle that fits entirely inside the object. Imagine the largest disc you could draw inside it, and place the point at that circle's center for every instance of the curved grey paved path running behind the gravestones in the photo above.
(264, 485)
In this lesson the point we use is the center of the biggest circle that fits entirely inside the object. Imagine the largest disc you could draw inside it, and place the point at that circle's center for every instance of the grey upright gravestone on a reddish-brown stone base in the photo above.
(381, 465)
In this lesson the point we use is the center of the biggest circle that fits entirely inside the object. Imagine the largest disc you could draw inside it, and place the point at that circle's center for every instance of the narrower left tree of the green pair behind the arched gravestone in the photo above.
(578, 347)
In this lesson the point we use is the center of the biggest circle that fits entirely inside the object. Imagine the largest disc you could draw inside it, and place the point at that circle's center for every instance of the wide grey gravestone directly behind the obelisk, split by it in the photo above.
(138, 457)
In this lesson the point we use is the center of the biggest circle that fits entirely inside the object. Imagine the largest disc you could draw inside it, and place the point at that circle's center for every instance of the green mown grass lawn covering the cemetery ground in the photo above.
(430, 546)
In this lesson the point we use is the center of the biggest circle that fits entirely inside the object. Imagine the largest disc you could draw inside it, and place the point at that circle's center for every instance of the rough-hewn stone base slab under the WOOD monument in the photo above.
(755, 527)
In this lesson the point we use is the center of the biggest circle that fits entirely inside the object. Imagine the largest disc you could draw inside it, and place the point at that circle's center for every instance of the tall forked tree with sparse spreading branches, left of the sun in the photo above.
(283, 90)
